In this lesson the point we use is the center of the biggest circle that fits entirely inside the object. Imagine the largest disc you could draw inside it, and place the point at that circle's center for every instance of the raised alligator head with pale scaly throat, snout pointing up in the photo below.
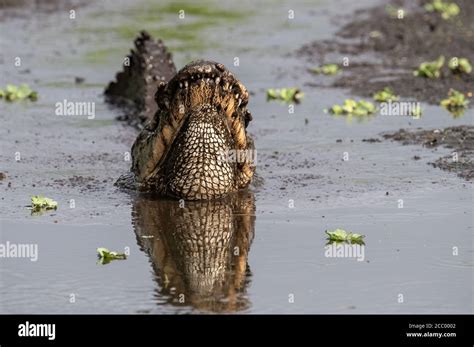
(196, 146)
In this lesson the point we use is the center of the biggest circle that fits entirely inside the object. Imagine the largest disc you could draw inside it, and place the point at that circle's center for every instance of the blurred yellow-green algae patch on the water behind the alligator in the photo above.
(187, 34)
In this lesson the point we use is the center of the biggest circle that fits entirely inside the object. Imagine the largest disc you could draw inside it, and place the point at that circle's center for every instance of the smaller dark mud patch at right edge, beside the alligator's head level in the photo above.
(460, 139)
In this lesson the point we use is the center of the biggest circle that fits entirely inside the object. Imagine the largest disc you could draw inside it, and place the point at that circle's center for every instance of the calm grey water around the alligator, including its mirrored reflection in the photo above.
(417, 259)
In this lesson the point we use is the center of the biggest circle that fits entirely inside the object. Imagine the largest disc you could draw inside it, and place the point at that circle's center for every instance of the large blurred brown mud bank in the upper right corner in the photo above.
(383, 50)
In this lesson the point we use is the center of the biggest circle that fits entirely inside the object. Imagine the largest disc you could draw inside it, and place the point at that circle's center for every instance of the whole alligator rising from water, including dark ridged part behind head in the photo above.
(194, 133)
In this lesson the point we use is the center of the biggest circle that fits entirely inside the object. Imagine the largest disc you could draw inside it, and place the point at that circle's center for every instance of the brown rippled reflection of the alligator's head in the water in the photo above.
(199, 249)
